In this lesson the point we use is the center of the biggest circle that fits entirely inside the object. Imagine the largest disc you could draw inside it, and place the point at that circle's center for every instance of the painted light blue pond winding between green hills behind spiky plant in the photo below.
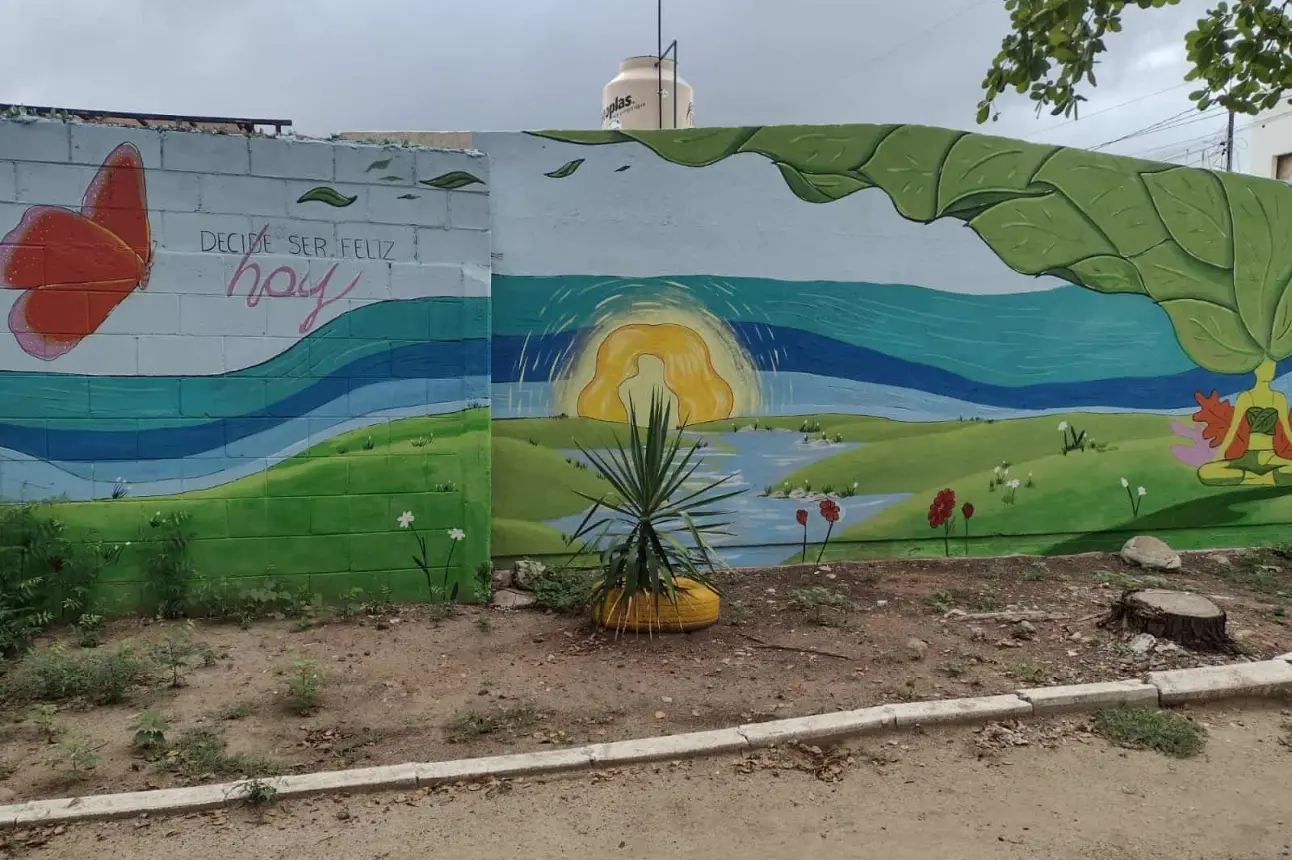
(763, 529)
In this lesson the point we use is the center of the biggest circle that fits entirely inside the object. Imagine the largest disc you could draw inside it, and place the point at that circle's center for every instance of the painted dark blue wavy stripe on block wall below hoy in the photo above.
(422, 361)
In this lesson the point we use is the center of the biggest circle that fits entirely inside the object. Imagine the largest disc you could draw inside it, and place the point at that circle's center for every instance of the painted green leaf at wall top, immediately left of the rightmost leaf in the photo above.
(1193, 206)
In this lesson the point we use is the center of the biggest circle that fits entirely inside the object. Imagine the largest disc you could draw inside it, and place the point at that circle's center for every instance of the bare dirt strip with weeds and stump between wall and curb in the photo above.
(402, 688)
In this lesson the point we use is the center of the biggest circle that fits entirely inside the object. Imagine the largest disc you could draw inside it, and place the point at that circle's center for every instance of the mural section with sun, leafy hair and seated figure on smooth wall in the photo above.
(1116, 367)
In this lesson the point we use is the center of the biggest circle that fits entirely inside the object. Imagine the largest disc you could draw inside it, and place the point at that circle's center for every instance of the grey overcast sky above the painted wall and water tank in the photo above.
(493, 65)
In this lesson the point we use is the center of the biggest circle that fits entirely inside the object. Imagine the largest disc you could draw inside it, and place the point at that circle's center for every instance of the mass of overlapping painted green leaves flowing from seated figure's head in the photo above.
(1215, 251)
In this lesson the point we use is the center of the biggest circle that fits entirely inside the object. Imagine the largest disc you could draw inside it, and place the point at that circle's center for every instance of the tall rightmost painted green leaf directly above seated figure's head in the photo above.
(1263, 256)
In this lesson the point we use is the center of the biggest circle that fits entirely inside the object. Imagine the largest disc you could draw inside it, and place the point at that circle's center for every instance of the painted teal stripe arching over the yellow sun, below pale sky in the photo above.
(1067, 335)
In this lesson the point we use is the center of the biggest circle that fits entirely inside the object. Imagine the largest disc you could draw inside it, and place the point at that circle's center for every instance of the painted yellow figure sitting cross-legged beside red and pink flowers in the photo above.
(1258, 442)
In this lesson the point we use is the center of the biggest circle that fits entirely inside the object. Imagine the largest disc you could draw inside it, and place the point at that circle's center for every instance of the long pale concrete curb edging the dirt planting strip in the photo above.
(1207, 684)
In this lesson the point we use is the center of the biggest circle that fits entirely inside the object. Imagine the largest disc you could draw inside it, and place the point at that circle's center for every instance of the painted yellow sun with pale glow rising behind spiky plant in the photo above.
(687, 354)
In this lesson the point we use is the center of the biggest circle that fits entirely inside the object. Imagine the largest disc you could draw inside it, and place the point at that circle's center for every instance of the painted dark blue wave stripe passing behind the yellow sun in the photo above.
(800, 352)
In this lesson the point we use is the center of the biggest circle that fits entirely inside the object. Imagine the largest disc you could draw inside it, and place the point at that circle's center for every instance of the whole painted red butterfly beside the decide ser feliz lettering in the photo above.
(77, 268)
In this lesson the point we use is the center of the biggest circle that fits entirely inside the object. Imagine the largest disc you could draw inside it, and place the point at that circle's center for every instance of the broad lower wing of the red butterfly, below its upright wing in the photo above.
(74, 272)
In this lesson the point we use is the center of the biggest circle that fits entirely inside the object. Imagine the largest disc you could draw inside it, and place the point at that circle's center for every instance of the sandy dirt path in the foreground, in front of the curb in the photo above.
(1046, 791)
